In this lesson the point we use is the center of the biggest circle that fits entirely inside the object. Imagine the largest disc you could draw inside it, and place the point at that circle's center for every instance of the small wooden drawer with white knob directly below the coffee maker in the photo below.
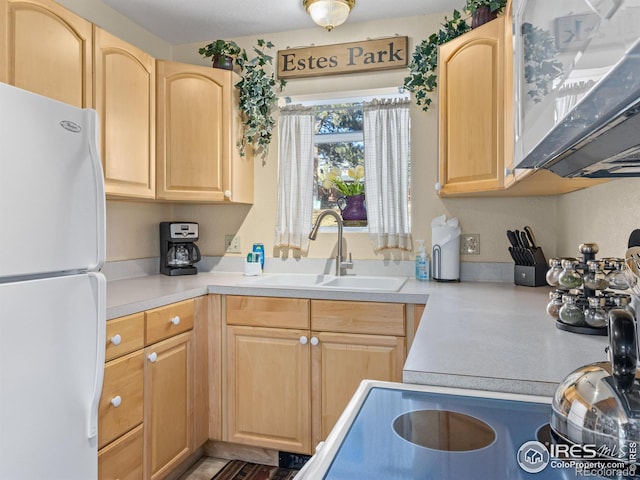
(165, 322)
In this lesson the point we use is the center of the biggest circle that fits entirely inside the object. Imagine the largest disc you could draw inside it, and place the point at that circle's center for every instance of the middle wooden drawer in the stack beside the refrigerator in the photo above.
(123, 378)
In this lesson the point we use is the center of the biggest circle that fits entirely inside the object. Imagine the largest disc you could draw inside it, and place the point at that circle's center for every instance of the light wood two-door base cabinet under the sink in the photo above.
(285, 381)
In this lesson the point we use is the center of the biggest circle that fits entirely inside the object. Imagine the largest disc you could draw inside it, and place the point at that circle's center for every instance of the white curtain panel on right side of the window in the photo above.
(386, 159)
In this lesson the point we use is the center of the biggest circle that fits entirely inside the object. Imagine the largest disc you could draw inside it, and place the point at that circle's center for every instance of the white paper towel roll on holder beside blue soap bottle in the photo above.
(445, 250)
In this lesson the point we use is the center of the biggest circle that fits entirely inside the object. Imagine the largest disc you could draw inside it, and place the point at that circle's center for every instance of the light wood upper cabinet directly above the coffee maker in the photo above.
(197, 129)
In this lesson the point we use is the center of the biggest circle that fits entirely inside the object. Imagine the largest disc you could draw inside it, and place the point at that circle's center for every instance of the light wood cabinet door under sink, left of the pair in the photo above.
(268, 388)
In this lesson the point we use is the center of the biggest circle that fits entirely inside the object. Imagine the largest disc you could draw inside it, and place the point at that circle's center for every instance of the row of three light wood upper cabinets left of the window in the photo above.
(169, 134)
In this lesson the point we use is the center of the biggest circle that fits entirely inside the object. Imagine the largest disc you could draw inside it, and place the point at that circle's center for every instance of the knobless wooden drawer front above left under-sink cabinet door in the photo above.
(267, 312)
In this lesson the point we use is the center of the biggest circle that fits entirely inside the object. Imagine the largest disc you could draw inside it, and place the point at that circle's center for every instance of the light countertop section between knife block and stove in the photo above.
(497, 337)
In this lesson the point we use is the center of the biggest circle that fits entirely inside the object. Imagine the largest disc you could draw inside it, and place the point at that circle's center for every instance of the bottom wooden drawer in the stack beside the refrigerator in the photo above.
(122, 459)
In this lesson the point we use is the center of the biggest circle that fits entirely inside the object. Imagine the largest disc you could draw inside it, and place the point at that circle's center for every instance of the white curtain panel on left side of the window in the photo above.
(295, 172)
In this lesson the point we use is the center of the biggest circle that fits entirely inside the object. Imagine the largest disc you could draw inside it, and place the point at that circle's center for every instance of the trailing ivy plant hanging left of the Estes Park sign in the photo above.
(257, 90)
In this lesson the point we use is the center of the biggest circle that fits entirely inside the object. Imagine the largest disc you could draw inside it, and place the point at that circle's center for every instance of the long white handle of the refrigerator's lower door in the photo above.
(101, 338)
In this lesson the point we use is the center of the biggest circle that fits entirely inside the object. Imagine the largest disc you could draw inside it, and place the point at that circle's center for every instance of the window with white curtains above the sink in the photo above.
(355, 140)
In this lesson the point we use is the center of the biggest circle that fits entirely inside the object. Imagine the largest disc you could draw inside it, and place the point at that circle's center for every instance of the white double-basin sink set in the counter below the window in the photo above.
(329, 282)
